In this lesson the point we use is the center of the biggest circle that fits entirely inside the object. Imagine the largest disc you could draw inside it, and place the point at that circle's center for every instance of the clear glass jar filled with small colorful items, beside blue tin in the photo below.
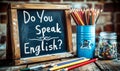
(107, 46)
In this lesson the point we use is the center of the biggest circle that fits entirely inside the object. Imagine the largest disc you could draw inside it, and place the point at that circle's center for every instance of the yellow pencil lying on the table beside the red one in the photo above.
(66, 65)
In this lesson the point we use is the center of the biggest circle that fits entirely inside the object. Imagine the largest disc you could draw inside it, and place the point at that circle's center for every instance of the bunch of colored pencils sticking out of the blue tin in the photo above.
(85, 16)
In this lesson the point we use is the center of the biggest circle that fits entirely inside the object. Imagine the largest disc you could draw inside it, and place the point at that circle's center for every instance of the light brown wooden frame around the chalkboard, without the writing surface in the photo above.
(15, 33)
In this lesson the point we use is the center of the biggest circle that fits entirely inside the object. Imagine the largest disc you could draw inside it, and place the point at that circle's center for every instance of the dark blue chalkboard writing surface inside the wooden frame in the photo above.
(41, 32)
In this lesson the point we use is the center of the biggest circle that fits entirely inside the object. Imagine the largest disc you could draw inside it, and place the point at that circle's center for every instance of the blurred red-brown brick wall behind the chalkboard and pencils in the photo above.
(108, 21)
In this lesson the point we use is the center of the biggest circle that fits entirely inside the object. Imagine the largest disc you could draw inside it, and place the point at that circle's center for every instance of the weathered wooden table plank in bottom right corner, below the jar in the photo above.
(108, 65)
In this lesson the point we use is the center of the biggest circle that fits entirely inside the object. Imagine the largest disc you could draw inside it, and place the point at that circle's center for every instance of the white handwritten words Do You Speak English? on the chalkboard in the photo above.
(44, 45)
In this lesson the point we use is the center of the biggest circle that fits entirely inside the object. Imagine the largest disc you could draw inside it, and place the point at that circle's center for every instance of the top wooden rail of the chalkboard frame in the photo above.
(39, 6)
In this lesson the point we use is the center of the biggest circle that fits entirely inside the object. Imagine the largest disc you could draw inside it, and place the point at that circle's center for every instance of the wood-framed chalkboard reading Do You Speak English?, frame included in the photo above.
(39, 32)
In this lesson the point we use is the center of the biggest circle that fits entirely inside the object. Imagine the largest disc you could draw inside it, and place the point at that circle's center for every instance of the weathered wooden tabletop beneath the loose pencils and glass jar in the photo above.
(99, 65)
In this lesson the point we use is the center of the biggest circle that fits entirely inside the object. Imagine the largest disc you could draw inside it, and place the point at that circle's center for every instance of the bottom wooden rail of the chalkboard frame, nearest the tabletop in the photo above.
(43, 58)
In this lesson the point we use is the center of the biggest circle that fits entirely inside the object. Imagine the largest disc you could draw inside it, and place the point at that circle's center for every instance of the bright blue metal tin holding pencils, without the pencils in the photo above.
(85, 41)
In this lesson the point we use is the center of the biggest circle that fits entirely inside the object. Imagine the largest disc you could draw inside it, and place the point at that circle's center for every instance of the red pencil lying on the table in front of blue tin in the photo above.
(81, 64)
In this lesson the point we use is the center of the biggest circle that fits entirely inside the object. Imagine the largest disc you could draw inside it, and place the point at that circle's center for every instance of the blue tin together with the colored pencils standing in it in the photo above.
(85, 20)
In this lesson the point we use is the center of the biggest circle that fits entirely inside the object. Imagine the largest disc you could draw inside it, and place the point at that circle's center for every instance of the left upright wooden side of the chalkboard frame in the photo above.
(15, 35)
